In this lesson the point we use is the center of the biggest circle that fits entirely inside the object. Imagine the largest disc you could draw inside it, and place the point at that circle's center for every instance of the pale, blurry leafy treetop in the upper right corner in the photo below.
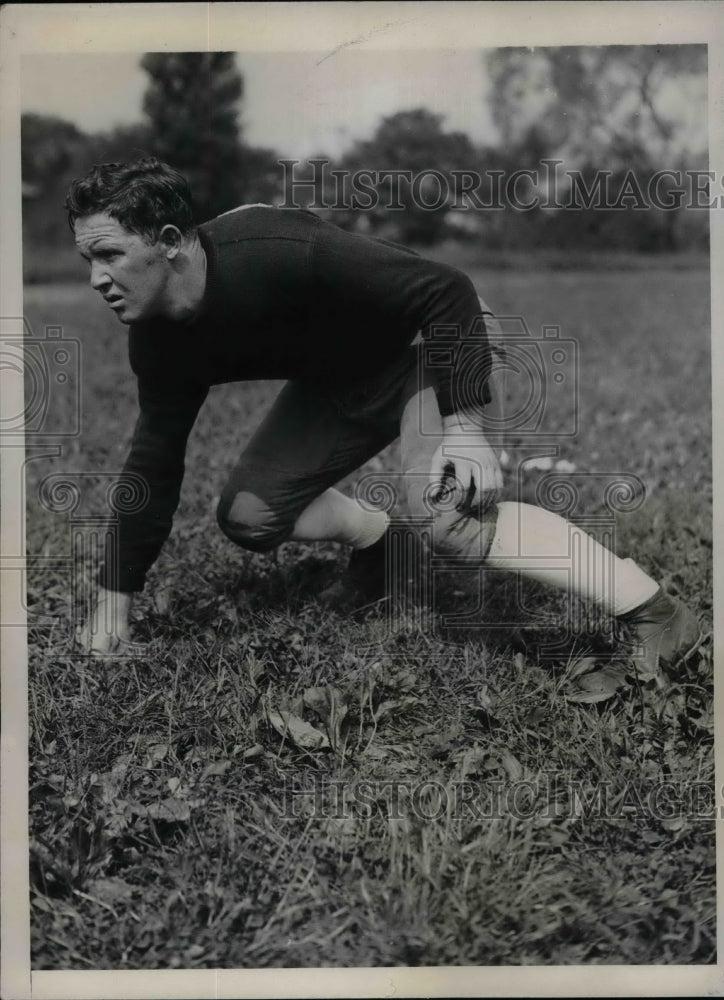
(605, 105)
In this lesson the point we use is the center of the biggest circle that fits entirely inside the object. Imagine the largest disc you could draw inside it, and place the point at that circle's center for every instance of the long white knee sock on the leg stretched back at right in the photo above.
(543, 546)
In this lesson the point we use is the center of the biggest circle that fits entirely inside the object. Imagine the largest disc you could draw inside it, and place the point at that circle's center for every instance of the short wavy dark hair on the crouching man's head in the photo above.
(144, 196)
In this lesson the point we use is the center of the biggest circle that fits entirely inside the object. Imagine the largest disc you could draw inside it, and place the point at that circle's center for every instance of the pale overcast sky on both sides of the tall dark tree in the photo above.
(297, 103)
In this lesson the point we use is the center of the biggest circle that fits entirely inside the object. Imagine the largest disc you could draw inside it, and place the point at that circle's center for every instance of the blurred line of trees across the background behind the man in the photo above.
(590, 108)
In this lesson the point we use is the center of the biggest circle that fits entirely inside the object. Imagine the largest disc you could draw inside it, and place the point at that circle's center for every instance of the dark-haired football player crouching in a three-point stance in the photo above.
(266, 293)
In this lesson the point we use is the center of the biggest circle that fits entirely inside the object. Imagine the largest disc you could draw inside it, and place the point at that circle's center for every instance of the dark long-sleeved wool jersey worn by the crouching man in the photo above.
(288, 296)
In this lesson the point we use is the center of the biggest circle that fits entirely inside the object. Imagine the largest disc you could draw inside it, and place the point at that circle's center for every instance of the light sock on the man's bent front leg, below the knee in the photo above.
(334, 517)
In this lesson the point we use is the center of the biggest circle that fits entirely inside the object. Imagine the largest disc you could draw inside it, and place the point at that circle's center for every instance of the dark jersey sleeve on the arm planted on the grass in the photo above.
(152, 476)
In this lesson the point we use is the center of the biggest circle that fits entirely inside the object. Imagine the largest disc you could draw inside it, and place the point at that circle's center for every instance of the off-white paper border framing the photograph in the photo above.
(262, 27)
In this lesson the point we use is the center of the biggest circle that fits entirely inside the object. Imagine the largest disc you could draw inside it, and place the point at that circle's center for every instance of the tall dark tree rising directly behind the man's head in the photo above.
(192, 106)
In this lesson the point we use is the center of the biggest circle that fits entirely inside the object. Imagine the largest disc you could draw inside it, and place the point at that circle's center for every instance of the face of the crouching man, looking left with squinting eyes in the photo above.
(130, 273)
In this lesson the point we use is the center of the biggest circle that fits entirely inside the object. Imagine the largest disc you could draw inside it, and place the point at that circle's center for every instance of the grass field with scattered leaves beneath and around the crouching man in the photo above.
(173, 813)
